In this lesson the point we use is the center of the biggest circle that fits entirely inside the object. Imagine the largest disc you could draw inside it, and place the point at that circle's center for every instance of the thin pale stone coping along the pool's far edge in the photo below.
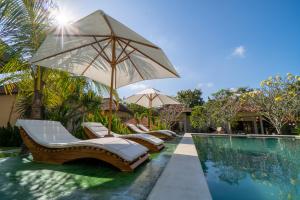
(249, 135)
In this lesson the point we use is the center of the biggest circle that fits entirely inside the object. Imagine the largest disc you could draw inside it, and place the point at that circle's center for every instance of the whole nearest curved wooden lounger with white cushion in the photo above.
(50, 142)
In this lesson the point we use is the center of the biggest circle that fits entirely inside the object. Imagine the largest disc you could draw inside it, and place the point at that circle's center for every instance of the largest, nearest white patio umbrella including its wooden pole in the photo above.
(102, 49)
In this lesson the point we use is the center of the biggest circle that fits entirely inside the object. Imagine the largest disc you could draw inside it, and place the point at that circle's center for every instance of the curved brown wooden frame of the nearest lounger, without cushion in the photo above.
(61, 155)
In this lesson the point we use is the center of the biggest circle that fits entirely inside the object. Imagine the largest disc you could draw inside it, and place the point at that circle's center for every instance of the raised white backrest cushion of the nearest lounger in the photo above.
(46, 133)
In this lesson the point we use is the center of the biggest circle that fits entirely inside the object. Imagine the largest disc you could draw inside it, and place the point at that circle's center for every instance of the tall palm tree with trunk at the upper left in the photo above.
(23, 27)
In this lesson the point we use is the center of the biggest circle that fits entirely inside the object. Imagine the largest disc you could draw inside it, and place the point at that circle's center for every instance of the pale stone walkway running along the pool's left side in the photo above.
(183, 176)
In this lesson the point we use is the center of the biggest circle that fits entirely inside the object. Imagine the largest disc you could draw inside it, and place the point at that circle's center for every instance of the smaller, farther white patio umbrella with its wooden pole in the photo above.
(150, 98)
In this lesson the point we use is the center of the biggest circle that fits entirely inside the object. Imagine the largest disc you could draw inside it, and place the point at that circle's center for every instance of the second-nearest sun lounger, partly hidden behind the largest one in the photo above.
(97, 130)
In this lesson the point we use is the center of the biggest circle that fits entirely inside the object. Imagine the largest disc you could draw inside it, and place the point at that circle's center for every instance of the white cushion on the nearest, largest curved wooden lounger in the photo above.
(53, 134)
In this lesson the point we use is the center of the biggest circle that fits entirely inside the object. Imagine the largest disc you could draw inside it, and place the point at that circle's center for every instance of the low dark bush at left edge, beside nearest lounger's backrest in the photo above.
(10, 136)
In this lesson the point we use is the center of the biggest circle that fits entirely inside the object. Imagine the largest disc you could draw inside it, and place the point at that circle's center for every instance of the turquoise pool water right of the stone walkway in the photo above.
(250, 168)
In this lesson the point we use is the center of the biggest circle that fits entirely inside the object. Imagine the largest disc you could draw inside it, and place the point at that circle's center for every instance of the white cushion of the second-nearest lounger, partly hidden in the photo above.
(100, 130)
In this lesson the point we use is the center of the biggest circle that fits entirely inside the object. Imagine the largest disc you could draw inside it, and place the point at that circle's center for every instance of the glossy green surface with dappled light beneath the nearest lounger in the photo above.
(21, 178)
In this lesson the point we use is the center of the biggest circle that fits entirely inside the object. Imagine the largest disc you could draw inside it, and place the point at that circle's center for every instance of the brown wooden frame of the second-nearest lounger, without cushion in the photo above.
(150, 146)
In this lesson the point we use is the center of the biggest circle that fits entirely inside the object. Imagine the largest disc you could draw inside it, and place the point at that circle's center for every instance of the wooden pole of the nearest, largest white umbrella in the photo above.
(113, 68)
